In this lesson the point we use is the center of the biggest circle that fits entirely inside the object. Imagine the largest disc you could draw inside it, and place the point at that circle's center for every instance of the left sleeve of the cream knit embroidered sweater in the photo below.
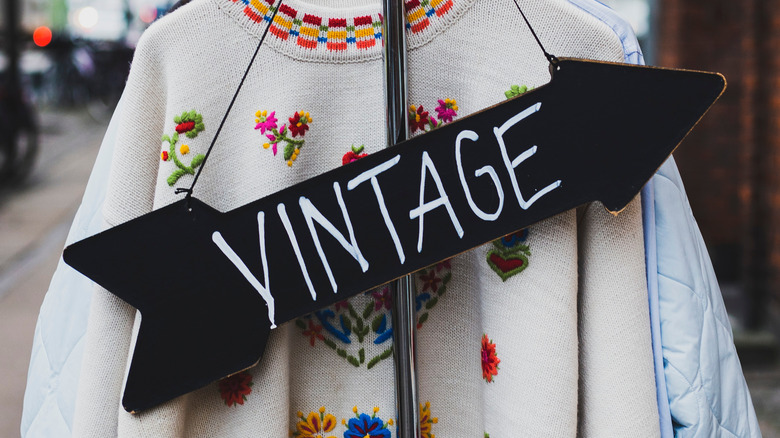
(130, 194)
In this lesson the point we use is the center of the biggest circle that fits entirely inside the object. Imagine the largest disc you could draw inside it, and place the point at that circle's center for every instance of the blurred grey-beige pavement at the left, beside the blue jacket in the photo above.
(34, 221)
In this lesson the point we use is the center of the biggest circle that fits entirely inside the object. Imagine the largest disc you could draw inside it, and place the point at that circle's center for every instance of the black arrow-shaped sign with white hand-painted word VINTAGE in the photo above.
(598, 131)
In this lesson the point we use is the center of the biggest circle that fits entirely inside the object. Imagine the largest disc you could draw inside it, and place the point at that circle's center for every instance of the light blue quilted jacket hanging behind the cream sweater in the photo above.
(701, 388)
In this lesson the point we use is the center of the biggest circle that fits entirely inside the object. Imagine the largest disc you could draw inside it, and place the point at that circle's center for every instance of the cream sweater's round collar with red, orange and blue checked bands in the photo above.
(339, 30)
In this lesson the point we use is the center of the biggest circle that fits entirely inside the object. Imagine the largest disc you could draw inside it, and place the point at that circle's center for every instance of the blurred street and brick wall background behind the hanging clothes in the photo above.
(63, 65)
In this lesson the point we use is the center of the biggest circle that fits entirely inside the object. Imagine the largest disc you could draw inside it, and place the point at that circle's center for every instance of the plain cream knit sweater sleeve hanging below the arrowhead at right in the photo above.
(617, 380)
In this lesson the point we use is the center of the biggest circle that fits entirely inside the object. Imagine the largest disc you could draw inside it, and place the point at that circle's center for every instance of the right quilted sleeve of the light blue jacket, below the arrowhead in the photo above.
(707, 392)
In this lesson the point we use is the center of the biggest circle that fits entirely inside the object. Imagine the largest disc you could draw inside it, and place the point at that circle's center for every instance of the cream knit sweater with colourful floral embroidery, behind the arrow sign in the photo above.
(559, 349)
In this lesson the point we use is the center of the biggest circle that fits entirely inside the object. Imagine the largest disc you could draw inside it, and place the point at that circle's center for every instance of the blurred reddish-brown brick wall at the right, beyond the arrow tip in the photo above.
(730, 163)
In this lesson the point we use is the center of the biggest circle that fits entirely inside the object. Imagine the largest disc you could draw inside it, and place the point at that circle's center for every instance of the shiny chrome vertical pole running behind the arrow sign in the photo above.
(404, 318)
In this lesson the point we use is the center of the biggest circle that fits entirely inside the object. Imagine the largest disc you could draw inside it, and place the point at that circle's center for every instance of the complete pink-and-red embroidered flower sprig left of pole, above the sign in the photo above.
(298, 125)
